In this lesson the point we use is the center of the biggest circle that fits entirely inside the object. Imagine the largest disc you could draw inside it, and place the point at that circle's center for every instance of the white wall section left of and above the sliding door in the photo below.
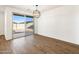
(8, 20)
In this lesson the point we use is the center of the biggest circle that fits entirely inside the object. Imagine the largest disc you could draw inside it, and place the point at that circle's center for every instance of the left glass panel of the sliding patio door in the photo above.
(18, 26)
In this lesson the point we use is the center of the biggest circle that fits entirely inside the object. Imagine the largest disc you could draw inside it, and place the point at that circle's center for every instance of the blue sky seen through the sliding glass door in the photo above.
(19, 19)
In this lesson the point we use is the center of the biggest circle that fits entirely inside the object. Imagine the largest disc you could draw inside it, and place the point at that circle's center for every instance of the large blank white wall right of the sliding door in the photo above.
(61, 23)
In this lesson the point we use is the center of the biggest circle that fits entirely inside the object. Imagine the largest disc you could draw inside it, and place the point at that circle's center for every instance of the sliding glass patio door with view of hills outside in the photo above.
(23, 25)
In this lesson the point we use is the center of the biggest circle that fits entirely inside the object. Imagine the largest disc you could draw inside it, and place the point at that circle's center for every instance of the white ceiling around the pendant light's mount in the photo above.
(32, 7)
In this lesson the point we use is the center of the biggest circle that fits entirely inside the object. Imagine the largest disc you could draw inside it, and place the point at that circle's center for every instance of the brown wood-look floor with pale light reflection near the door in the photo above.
(36, 44)
